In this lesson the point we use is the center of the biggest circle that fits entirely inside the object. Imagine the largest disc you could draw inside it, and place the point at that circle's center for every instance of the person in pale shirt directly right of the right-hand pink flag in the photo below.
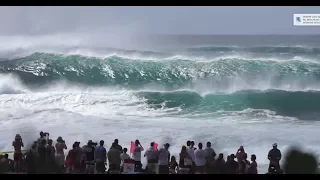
(163, 159)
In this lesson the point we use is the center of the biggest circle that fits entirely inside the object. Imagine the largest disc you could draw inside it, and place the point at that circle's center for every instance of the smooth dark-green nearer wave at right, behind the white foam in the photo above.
(303, 105)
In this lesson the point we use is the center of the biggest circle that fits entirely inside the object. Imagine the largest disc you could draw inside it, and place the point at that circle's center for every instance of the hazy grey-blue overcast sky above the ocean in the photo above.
(163, 20)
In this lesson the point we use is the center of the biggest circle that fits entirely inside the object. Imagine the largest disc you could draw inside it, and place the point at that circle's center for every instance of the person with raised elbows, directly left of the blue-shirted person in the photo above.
(89, 151)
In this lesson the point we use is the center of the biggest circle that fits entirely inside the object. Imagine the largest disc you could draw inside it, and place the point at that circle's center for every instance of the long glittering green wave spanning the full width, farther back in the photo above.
(42, 68)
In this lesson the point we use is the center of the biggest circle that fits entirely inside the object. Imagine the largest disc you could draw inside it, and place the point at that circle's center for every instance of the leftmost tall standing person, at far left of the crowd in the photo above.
(17, 156)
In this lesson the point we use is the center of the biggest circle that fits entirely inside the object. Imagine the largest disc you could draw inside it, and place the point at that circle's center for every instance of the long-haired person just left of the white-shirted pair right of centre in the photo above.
(185, 161)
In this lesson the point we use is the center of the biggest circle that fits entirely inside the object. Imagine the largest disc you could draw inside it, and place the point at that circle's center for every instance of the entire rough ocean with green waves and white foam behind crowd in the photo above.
(230, 90)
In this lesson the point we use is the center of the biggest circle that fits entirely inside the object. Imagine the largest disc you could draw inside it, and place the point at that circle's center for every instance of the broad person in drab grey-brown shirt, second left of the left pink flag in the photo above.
(114, 157)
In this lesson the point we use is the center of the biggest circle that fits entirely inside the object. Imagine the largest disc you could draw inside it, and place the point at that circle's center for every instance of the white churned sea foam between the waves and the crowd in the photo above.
(82, 113)
